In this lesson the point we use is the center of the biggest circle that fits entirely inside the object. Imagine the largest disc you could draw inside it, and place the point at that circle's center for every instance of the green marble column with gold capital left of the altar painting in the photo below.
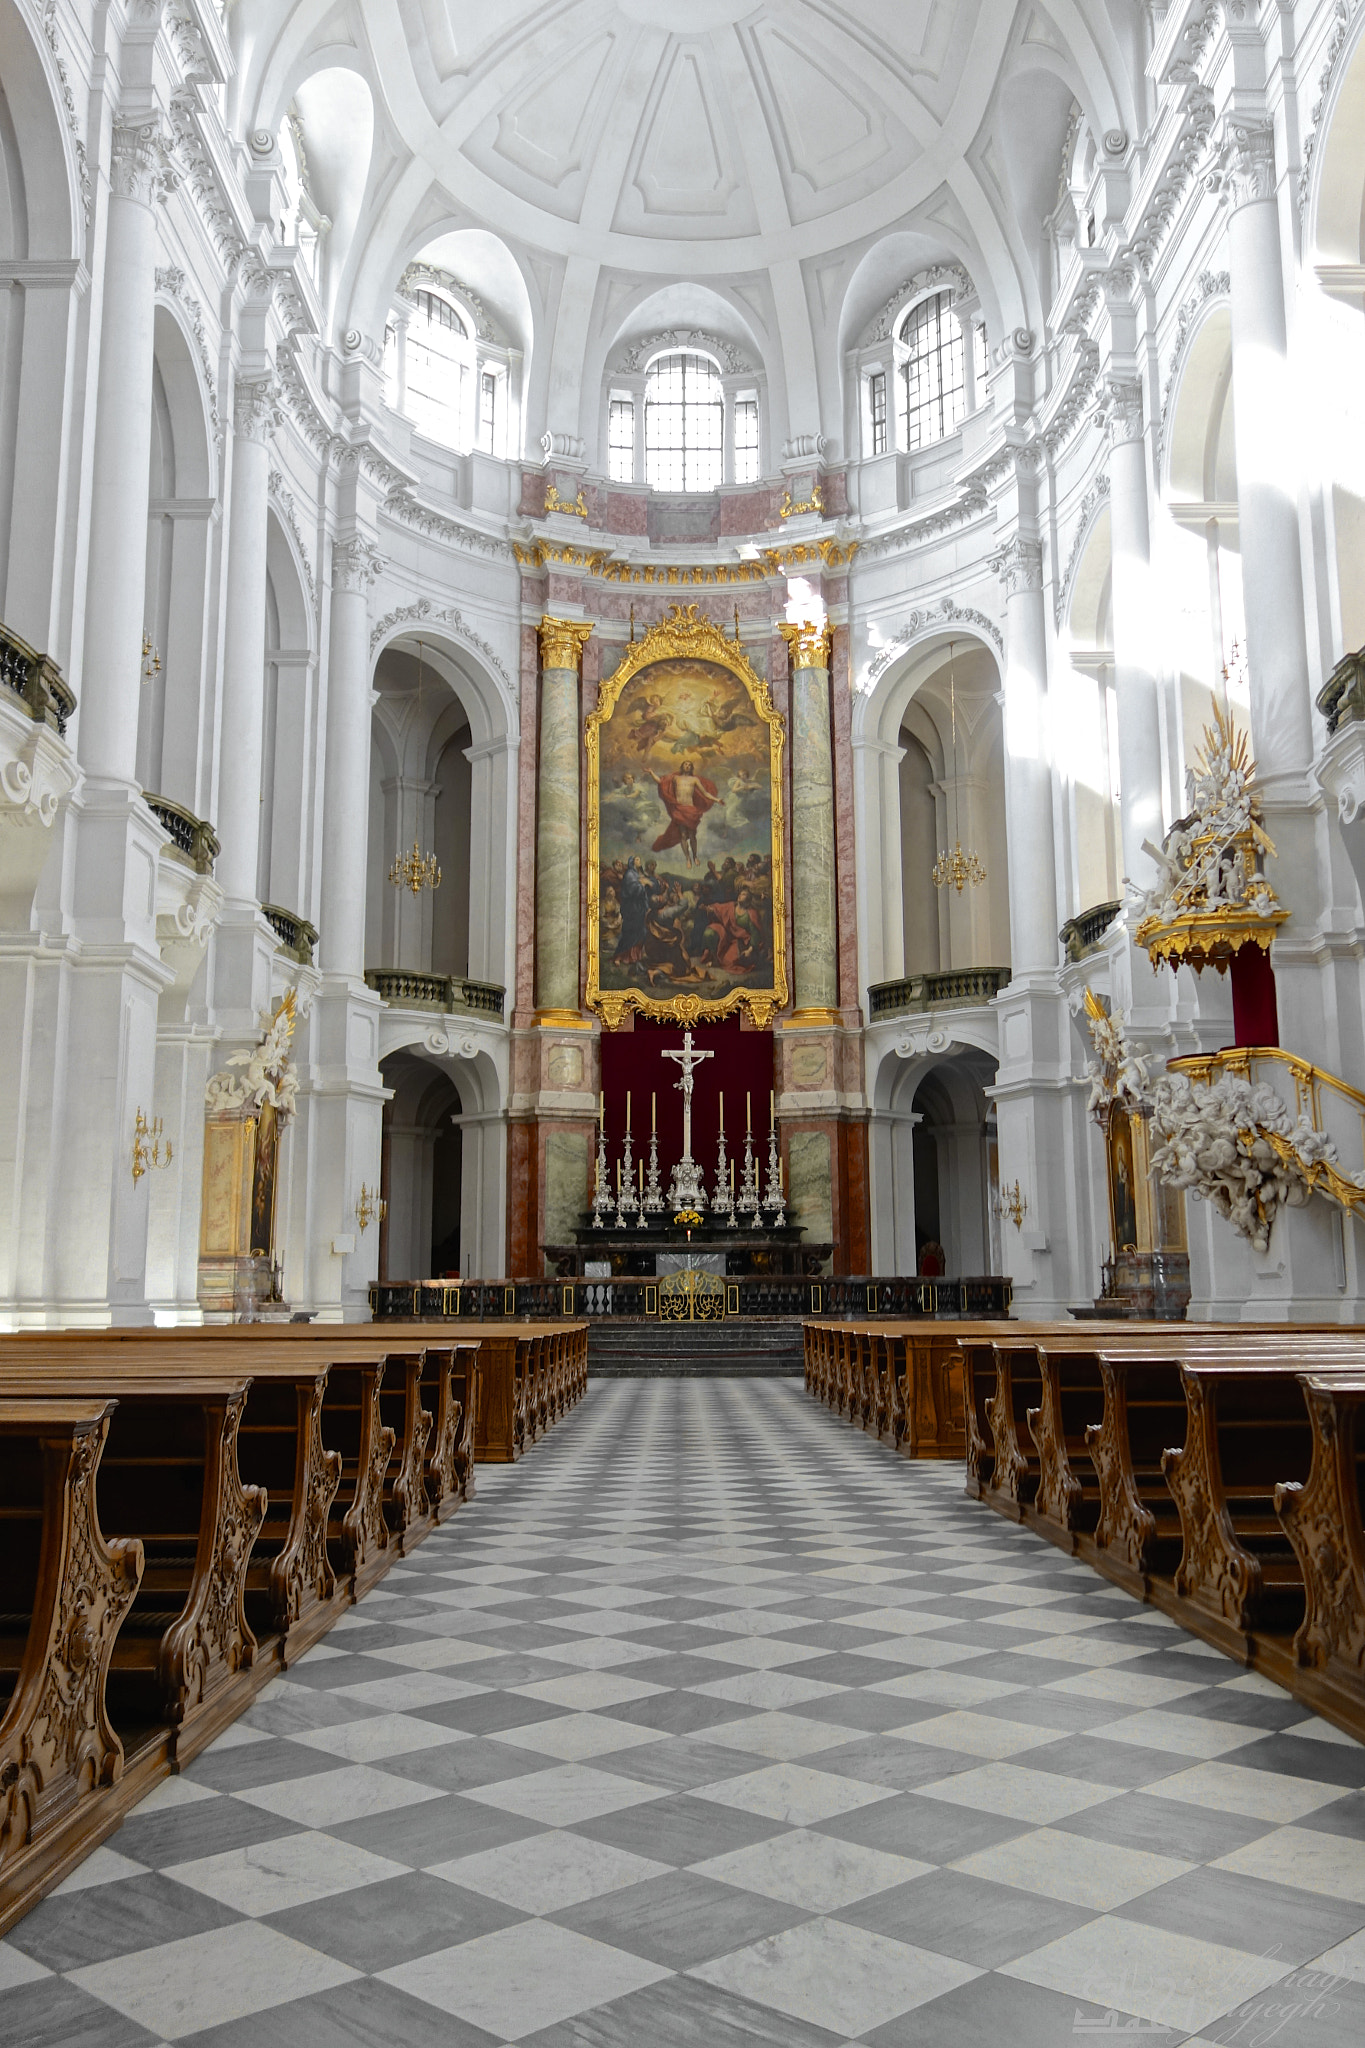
(558, 822)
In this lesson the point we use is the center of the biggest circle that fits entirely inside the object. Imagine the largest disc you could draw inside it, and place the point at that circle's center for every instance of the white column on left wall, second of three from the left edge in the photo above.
(245, 652)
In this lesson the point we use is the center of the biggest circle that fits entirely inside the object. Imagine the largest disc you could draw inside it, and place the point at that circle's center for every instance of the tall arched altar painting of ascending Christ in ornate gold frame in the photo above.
(685, 833)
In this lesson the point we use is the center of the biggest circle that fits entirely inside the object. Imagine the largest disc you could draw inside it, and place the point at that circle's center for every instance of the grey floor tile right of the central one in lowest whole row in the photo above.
(967, 1918)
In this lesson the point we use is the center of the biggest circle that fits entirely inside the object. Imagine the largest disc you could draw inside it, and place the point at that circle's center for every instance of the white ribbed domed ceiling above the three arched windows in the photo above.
(635, 130)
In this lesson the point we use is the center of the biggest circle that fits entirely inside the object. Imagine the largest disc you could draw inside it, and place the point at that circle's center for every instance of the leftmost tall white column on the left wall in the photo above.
(140, 177)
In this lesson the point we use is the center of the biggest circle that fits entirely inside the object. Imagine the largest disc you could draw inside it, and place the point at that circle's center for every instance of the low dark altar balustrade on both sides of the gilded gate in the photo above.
(754, 1295)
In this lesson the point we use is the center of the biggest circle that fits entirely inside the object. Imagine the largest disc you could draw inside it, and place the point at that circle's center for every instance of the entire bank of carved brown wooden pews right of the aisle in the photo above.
(1215, 1471)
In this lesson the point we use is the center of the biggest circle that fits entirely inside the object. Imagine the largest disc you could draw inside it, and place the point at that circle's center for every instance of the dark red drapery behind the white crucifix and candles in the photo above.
(742, 1066)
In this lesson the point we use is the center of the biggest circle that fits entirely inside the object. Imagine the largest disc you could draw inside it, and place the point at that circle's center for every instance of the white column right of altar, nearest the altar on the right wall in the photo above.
(1028, 767)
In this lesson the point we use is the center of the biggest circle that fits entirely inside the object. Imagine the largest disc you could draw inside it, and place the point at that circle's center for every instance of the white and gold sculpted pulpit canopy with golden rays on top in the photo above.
(1210, 896)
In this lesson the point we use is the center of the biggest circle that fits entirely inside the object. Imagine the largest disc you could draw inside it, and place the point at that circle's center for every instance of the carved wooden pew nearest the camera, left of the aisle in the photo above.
(69, 1590)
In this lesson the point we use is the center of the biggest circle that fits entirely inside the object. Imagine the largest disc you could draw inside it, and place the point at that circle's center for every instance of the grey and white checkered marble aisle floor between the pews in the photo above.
(715, 1725)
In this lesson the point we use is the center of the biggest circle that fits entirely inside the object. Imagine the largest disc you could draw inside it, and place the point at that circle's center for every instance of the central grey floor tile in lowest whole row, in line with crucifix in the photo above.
(680, 1920)
